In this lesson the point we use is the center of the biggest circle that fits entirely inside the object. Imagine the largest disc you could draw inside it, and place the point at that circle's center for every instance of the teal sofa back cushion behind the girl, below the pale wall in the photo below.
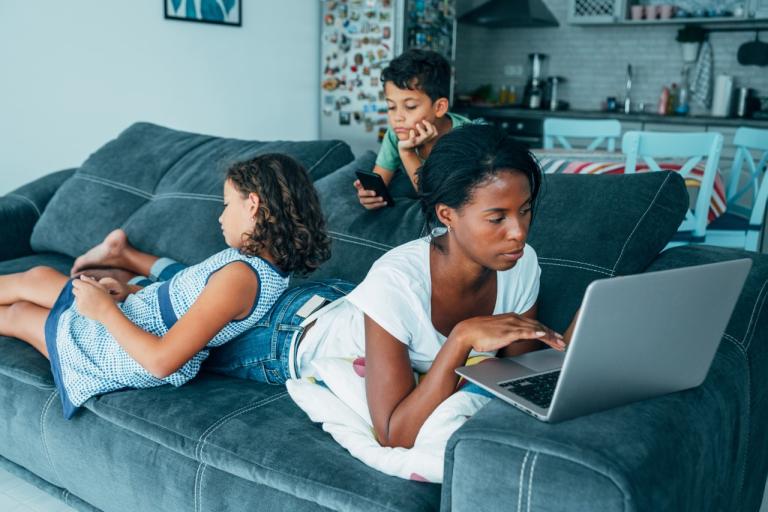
(164, 188)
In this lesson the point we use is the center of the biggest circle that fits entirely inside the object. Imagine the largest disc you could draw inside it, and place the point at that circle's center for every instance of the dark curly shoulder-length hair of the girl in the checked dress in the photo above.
(289, 223)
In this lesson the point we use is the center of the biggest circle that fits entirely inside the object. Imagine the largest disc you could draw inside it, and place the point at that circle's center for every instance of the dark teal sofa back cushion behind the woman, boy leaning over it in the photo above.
(584, 228)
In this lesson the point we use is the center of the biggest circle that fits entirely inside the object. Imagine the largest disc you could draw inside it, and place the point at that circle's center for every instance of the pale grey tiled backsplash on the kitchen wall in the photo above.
(594, 59)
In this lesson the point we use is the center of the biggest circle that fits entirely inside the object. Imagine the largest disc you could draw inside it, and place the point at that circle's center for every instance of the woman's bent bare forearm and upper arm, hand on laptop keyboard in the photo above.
(398, 407)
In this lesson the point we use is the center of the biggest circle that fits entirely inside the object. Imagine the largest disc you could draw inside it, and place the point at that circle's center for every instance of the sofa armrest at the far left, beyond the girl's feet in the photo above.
(20, 209)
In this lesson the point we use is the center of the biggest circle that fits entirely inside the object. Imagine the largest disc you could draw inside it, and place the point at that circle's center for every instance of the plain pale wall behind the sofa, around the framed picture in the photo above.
(74, 74)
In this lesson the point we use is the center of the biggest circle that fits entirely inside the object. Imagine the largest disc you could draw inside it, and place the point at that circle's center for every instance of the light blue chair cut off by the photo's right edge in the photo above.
(742, 224)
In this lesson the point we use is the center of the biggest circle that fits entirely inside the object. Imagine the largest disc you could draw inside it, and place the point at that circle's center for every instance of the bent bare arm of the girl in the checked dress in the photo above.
(229, 295)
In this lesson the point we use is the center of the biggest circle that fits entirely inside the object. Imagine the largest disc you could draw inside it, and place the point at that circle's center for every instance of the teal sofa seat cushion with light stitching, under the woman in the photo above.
(256, 432)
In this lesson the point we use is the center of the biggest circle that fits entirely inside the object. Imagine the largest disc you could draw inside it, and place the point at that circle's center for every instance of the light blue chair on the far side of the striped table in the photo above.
(599, 130)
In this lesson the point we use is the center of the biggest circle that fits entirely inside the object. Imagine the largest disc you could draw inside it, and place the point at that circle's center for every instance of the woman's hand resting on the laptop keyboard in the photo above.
(491, 333)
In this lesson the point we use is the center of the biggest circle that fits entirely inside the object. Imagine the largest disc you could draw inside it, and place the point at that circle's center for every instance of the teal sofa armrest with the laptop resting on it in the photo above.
(700, 449)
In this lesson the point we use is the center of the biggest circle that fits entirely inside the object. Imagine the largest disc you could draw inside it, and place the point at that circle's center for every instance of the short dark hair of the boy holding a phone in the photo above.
(422, 70)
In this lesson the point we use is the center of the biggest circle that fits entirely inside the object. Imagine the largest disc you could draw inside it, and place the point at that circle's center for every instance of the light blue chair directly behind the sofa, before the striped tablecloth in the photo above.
(646, 147)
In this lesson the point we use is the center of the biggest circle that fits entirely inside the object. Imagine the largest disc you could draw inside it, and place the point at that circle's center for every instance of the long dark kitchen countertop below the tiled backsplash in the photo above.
(513, 112)
